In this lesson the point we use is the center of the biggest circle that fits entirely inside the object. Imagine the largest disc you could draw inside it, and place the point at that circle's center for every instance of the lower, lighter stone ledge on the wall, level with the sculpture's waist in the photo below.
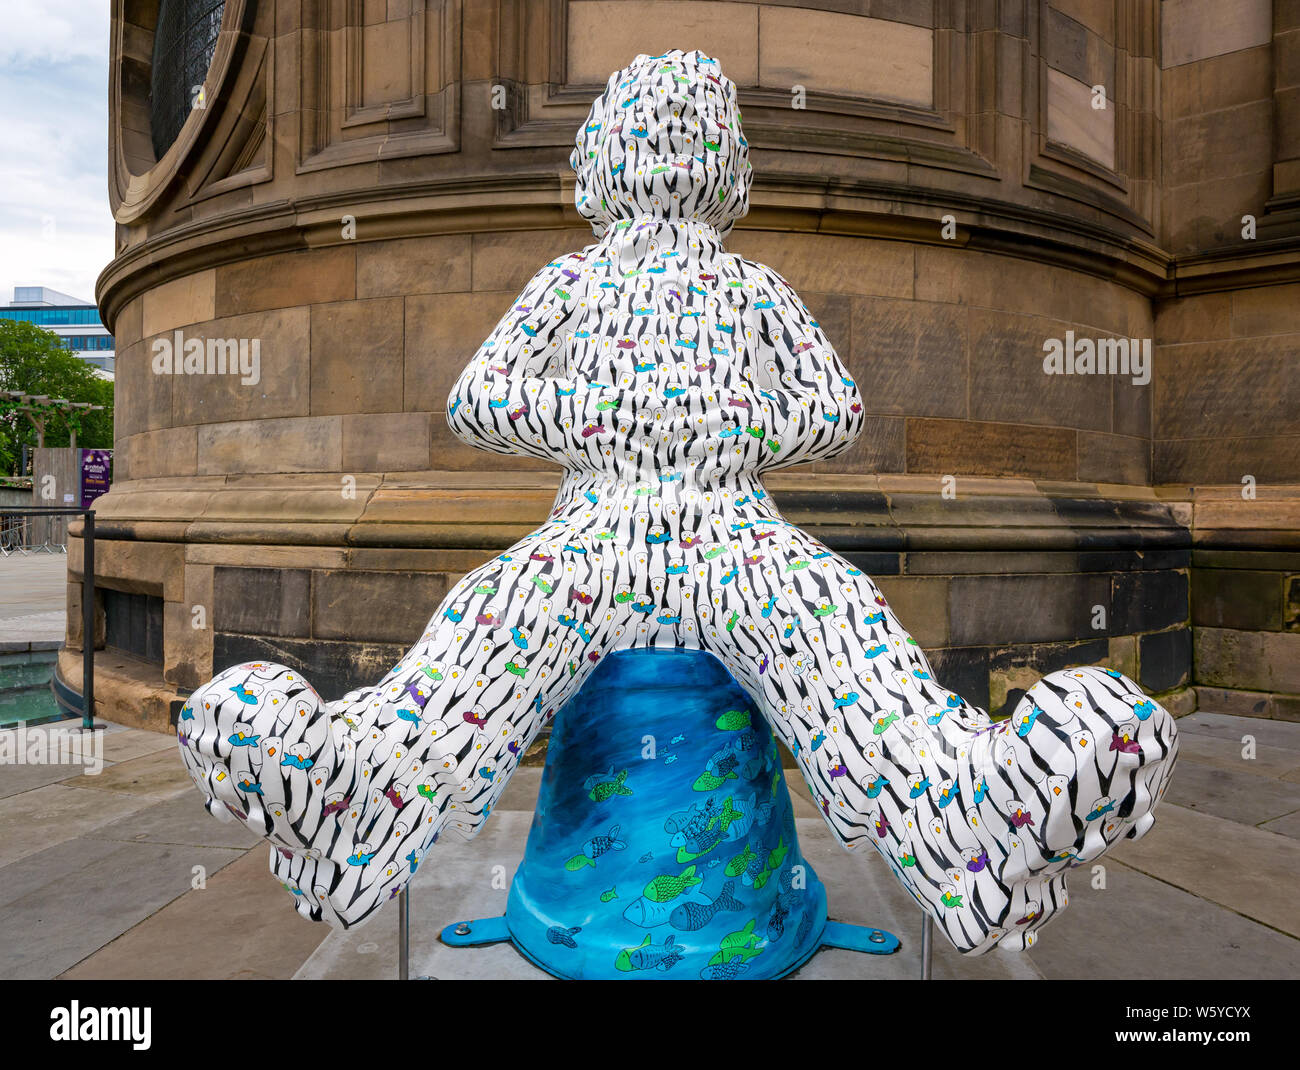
(456, 510)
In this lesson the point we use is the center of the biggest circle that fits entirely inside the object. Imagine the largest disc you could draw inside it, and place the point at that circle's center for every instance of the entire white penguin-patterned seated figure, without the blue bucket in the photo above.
(666, 376)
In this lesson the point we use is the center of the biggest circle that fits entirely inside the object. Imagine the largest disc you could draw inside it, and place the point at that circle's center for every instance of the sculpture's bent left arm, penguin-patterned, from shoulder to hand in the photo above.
(509, 398)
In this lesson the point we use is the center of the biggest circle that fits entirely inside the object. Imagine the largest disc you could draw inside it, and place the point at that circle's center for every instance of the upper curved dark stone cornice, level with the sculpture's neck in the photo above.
(787, 203)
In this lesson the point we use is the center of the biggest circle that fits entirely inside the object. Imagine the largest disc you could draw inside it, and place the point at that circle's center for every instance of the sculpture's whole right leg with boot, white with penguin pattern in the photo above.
(980, 820)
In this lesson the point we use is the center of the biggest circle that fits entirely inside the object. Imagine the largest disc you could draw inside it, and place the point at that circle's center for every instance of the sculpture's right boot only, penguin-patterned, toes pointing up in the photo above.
(983, 820)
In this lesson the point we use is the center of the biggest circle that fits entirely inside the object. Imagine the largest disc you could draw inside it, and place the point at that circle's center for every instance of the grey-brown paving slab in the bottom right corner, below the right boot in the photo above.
(1138, 929)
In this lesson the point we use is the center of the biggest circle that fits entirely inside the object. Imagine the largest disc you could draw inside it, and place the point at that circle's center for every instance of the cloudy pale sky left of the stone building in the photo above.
(55, 223)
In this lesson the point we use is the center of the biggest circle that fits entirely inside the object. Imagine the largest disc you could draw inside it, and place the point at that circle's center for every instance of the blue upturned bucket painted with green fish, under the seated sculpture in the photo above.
(664, 842)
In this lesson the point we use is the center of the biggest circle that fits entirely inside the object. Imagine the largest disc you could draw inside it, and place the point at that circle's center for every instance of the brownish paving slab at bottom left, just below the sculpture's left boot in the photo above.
(241, 926)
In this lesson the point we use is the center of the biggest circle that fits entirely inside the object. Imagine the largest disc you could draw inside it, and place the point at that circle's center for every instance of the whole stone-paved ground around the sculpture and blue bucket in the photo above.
(99, 880)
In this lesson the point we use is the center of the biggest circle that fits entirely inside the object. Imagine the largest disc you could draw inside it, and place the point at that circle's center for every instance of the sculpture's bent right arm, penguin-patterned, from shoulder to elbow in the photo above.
(808, 404)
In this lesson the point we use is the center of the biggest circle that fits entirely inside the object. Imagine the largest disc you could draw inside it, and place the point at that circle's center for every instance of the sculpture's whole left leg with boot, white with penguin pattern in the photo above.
(353, 795)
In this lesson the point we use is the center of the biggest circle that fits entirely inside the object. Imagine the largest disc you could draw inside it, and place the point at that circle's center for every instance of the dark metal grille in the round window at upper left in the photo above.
(184, 44)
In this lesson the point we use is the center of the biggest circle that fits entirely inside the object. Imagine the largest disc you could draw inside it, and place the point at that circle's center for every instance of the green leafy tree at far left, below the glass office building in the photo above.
(34, 361)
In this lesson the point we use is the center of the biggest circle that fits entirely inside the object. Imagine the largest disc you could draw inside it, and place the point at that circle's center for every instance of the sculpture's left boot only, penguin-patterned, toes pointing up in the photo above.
(266, 751)
